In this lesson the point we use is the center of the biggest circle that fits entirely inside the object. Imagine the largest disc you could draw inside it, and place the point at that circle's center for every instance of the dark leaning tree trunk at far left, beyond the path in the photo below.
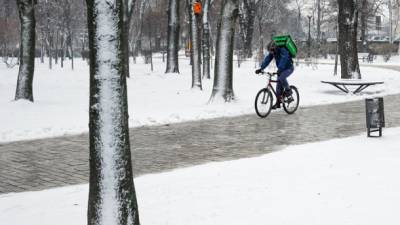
(26, 9)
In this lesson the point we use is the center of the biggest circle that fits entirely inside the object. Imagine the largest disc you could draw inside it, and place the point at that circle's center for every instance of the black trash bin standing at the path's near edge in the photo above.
(375, 115)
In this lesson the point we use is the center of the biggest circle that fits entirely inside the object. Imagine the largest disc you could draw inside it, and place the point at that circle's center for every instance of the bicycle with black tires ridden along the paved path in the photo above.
(266, 96)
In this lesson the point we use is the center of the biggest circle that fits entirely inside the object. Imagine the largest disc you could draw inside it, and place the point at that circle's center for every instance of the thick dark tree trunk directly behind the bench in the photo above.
(348, 20)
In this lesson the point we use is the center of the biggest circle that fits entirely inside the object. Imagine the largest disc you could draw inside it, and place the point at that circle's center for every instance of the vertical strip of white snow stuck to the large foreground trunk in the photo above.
(108, 107)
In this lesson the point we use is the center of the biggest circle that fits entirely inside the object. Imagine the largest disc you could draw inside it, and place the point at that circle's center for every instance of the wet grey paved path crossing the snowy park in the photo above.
(54, 162)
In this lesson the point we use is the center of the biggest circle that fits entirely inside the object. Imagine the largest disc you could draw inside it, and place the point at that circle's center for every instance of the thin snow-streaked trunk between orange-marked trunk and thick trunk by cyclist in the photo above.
(206, 40)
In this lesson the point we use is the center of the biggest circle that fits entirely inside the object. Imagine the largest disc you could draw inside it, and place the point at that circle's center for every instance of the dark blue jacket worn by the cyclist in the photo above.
(282, 58)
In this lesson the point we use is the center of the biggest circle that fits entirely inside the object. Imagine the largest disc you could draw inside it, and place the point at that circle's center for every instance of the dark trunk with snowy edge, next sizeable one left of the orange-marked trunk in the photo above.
(173, 37)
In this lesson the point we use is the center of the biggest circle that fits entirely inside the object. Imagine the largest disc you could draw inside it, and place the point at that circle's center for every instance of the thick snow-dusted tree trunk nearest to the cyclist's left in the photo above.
(223, 88)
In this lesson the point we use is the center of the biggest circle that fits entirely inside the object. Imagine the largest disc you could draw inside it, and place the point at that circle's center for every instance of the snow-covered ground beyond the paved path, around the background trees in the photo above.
(62, 96)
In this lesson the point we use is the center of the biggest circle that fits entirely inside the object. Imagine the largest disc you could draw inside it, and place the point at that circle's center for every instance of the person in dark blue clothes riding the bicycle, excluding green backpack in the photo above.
(284, 63)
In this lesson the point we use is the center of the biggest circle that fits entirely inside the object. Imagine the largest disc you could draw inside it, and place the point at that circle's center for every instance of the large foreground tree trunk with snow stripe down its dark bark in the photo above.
(112, 197)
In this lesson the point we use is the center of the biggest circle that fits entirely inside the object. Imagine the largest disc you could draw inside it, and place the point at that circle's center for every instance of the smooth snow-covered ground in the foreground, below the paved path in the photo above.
(351, 181)
